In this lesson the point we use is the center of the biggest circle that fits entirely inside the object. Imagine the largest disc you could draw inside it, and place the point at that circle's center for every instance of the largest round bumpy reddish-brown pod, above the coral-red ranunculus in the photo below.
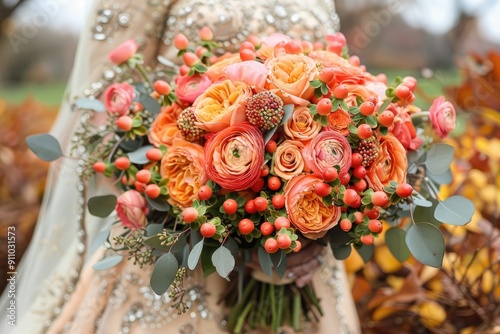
(265, 110)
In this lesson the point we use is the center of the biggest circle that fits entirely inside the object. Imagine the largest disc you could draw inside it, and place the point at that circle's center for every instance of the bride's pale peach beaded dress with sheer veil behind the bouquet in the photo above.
(57, 290)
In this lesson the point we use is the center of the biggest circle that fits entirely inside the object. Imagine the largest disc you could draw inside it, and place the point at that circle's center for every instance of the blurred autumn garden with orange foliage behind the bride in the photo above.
(452, 48)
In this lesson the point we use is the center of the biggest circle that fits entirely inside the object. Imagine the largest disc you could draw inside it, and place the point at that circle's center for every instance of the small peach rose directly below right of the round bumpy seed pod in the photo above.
(301, 125)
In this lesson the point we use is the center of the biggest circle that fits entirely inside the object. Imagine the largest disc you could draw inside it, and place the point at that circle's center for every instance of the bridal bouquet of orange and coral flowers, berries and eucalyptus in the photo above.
(244, 157)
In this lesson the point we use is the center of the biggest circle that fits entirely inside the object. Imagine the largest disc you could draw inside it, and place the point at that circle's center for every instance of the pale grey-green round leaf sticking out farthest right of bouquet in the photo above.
(456, 210)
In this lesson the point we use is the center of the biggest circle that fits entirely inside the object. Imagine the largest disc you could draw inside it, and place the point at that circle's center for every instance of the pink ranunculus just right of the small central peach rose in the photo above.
(329, 148)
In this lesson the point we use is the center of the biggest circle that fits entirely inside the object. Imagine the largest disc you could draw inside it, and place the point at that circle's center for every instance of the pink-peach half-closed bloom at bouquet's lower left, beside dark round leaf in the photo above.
(131, 208)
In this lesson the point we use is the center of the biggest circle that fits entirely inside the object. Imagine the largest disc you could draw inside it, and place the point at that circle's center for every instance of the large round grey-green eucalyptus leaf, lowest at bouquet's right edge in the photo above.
(426, 243)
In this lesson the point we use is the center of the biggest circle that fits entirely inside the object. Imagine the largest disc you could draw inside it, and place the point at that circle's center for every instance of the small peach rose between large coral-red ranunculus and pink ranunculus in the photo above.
(288, 160)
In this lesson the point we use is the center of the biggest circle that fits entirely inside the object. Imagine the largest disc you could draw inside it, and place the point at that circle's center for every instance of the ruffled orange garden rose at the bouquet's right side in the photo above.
(391, 163)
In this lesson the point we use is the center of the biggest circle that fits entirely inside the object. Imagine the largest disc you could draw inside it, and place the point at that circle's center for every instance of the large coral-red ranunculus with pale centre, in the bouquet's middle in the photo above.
(234, 156)
